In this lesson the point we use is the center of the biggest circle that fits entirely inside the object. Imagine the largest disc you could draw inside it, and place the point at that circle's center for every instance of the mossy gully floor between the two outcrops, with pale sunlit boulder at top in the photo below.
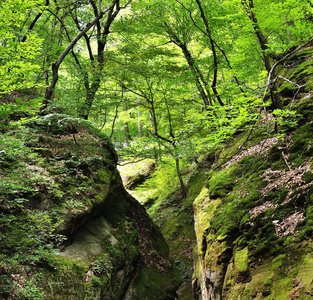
(174, 216)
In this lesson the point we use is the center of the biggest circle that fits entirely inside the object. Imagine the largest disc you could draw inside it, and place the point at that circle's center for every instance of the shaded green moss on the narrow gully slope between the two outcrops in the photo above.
(174, 217)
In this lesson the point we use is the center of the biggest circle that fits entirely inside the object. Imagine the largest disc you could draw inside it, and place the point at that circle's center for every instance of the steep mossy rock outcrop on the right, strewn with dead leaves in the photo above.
(253, 217)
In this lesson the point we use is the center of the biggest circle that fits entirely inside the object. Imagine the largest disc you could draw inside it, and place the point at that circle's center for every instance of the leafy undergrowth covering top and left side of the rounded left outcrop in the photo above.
(39, 180)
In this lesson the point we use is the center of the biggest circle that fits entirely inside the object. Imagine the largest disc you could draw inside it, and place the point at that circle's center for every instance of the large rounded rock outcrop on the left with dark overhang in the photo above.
(80, 234)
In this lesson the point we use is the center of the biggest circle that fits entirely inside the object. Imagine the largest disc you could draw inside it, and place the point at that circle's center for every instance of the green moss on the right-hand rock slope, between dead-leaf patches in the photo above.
(263, 266)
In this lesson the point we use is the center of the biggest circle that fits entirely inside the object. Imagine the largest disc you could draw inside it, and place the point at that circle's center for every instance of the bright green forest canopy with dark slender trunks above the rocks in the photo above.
(178, 76)
